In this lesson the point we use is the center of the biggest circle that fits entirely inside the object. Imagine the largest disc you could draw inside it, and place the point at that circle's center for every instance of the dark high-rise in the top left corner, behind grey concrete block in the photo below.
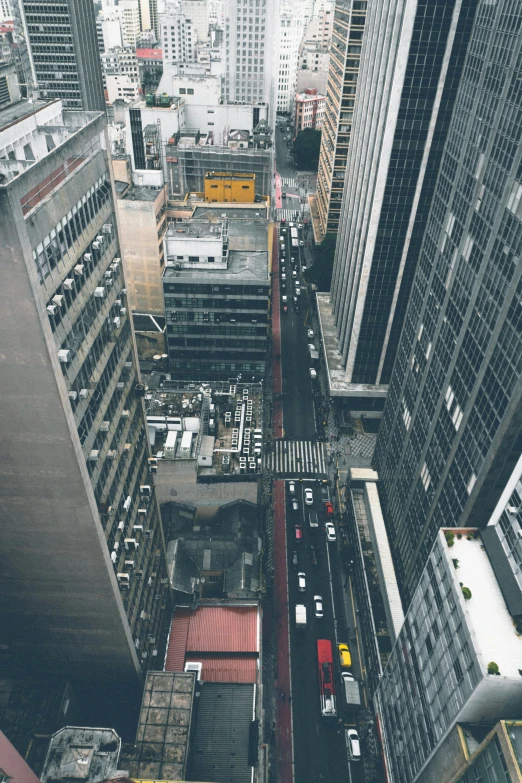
(63, 59)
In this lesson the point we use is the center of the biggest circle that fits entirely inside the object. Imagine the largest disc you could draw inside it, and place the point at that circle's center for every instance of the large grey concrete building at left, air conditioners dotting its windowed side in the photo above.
(84, 590)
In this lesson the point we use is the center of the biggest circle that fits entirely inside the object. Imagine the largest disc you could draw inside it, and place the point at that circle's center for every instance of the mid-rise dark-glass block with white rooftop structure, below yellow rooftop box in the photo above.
(217, 287)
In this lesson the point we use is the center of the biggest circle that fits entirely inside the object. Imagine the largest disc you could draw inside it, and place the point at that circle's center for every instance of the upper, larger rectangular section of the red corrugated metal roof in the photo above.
(224, 629)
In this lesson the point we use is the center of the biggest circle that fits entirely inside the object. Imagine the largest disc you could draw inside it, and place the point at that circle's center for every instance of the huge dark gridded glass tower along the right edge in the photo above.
(451, 428)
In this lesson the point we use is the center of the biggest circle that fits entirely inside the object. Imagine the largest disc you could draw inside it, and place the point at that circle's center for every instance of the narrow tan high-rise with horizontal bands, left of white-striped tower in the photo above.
(345, 51)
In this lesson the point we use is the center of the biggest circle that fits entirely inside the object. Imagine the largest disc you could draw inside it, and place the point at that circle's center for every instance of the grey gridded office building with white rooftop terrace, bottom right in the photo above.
(457, 659)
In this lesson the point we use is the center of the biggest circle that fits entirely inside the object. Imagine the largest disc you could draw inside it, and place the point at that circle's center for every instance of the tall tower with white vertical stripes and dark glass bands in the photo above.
(411, 62)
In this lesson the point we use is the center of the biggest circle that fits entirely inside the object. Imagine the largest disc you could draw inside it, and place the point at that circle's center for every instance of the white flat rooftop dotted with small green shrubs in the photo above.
(490, 624)
